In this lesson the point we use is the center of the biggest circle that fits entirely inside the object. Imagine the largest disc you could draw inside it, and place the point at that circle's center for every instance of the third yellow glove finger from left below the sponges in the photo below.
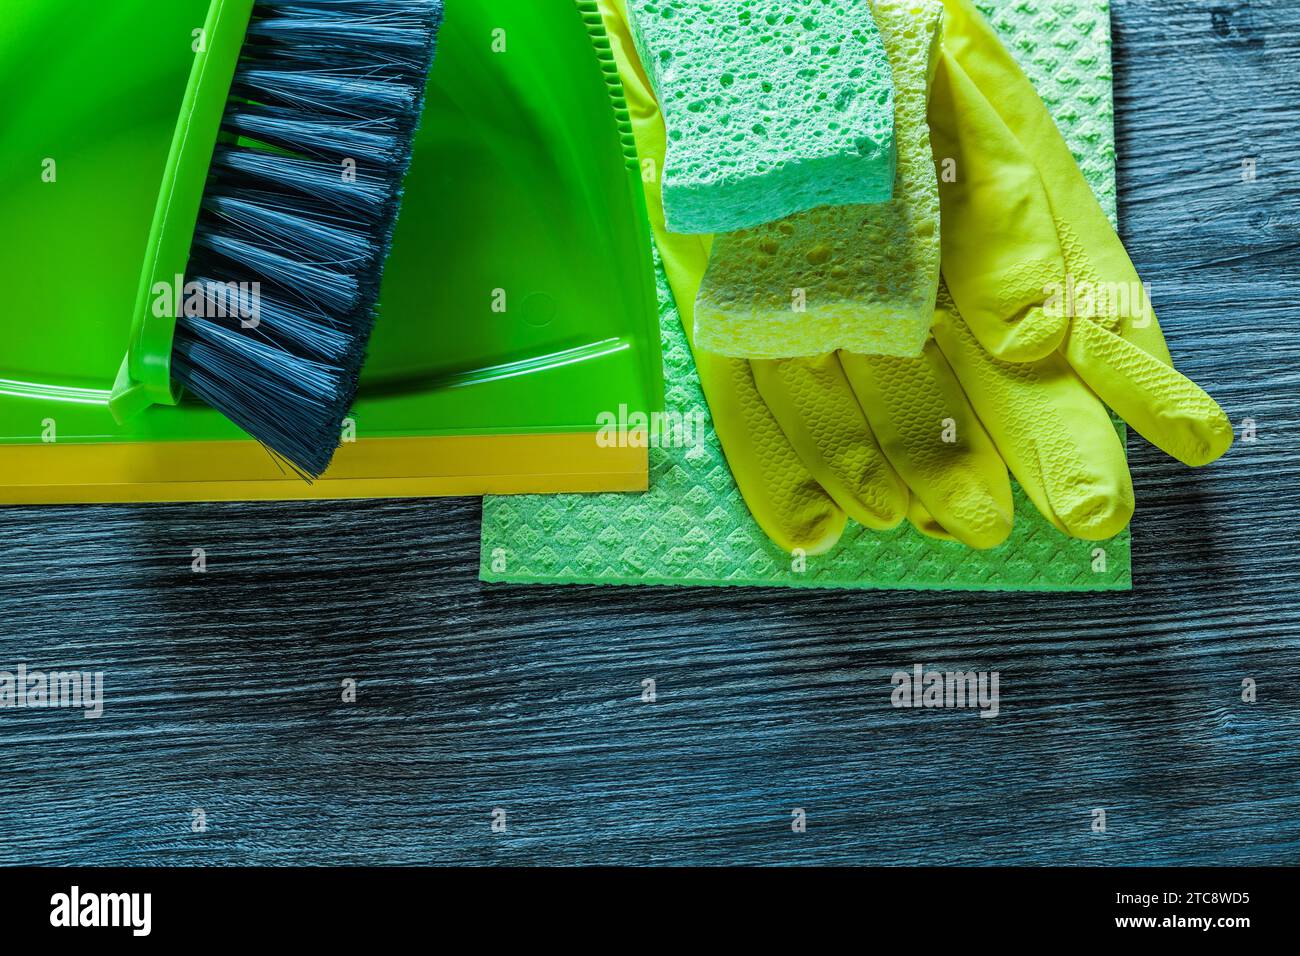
(933, 438)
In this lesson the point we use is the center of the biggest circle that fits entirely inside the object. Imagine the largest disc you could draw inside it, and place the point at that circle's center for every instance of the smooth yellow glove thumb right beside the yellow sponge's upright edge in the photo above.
(1000, 246)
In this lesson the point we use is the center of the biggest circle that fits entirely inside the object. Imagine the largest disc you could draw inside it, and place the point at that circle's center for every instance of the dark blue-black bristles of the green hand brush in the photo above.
(302, 201)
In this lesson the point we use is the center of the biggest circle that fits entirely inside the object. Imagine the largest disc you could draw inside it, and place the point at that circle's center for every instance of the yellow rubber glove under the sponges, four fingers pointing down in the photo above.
(814, 442)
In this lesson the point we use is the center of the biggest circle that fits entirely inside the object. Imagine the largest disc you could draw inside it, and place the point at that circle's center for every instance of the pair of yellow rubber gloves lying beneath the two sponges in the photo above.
(1007, 382)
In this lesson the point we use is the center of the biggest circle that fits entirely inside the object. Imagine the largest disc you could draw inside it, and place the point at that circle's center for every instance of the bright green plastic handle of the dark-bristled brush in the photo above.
(145, 378)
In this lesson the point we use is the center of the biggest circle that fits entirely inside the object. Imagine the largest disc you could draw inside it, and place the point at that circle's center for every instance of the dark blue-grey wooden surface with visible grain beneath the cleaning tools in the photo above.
(223, 690)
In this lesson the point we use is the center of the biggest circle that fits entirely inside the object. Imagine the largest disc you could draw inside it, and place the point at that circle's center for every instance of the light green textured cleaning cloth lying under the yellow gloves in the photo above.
(694, 527)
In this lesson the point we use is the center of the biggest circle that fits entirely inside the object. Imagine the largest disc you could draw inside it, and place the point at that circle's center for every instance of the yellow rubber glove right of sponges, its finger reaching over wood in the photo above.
(1032, 259)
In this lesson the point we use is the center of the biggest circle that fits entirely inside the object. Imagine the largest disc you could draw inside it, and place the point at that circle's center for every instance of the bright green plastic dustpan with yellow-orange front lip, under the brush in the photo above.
(517, 309)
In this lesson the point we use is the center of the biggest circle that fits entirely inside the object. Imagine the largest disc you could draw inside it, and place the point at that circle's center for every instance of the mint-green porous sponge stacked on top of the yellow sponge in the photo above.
(772, 107)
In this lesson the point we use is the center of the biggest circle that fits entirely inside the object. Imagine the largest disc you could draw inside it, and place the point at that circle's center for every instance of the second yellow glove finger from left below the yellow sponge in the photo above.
(821, 417)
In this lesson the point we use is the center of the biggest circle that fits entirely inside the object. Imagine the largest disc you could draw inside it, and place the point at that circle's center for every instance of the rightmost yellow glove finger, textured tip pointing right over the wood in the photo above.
(1164, 406)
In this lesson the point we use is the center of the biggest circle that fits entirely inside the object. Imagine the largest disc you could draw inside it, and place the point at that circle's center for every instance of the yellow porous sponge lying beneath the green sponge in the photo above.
(855, 278)
